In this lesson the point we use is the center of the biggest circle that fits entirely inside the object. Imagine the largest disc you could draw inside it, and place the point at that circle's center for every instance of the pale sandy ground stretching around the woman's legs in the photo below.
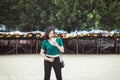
(77, 67)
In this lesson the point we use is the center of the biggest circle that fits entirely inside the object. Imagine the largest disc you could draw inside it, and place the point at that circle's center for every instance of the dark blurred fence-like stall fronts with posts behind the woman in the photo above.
(78, 45)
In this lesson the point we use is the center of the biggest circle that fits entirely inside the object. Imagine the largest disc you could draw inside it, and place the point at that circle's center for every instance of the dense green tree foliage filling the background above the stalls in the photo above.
(30, 15)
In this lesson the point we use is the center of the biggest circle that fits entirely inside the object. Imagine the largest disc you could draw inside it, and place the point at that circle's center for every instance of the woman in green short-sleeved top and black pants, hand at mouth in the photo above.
(51, 48)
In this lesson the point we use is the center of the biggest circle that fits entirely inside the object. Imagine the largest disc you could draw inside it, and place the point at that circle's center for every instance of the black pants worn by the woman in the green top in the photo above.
(56, 66)
